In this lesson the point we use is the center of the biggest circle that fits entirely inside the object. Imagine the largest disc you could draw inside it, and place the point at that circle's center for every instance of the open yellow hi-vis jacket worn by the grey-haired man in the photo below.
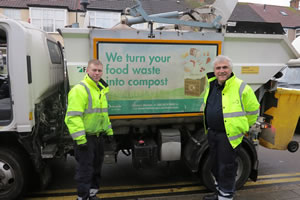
(240, 107)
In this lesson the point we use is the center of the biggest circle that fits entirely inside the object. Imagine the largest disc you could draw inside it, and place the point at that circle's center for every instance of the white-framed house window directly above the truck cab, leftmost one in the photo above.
(48, 19)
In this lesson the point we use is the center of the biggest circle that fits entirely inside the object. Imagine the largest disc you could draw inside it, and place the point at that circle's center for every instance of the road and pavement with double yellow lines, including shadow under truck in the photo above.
(279, 178)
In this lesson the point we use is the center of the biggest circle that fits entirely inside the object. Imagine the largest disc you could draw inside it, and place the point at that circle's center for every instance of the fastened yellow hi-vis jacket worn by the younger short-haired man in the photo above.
(87, 111)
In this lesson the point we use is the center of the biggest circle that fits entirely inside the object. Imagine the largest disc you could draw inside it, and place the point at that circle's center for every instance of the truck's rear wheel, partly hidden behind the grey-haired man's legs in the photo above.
(243, 171)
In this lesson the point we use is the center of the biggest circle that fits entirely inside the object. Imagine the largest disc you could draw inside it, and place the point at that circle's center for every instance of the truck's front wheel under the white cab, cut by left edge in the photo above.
(12, 173)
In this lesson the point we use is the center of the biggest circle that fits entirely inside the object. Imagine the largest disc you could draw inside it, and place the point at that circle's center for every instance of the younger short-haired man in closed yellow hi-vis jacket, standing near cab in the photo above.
(87, 120)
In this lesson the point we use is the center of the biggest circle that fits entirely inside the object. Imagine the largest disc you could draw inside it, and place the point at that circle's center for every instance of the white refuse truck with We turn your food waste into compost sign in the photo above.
(156, 80)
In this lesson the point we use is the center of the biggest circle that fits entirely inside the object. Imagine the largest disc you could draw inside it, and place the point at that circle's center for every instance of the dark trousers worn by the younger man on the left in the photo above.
(89, 165)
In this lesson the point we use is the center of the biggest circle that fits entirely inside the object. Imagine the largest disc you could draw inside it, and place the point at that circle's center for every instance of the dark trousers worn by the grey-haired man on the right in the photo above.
(223, 159)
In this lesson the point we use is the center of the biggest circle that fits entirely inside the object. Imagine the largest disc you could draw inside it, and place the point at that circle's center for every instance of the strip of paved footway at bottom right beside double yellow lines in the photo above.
(277, 192)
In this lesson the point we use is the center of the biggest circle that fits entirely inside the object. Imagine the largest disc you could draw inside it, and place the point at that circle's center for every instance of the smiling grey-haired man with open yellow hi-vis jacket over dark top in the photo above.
(231, 107)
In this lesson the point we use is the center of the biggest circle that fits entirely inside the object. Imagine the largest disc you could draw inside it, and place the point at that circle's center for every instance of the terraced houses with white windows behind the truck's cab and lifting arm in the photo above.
(50, 15)
